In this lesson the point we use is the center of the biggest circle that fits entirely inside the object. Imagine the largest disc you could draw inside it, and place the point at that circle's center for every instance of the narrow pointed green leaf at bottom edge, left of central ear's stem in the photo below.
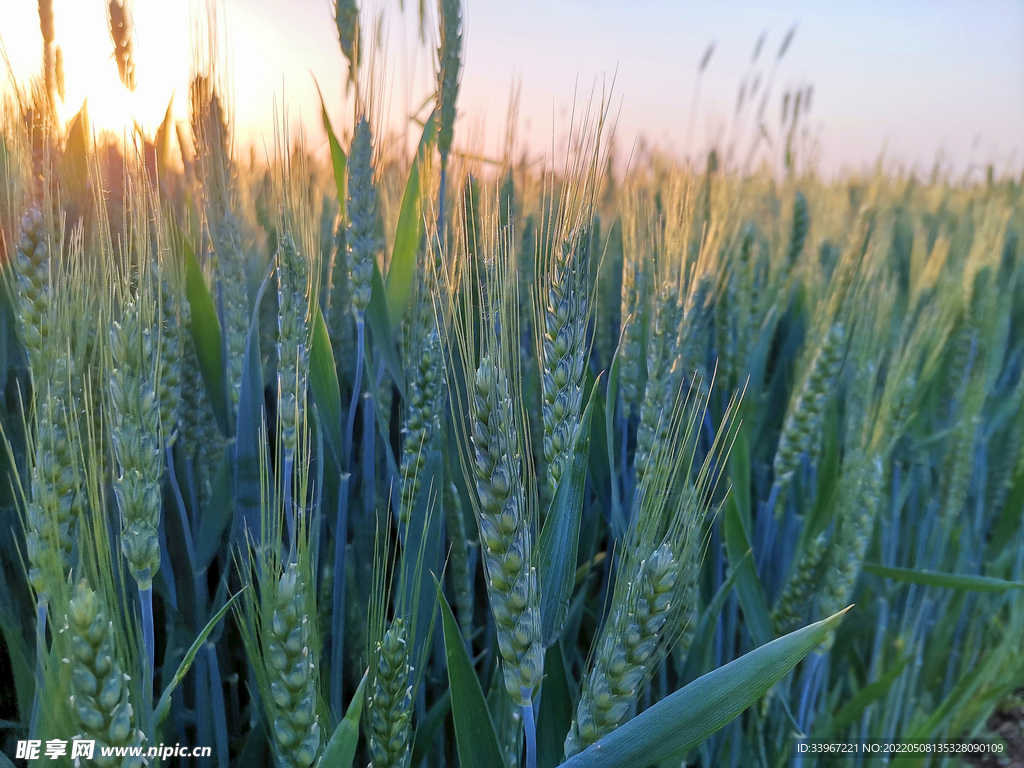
(475, 733)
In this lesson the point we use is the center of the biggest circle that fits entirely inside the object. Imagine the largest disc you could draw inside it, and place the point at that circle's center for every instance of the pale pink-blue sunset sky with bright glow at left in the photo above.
(908, 82)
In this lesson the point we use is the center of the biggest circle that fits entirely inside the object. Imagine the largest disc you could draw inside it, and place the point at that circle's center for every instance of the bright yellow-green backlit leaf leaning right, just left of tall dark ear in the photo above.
(409, 233)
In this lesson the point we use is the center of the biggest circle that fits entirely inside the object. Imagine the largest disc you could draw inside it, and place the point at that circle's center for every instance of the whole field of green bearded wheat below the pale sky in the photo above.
(423, 457)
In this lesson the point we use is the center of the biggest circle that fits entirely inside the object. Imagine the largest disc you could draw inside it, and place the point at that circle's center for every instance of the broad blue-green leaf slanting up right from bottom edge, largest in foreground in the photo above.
(680, 722)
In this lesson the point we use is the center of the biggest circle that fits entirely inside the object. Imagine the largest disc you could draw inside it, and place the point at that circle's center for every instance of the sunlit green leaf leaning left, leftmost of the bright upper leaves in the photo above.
(206, 333)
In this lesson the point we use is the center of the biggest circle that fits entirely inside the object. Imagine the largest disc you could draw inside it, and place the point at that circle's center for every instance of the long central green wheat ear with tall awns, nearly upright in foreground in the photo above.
(492, 447)
